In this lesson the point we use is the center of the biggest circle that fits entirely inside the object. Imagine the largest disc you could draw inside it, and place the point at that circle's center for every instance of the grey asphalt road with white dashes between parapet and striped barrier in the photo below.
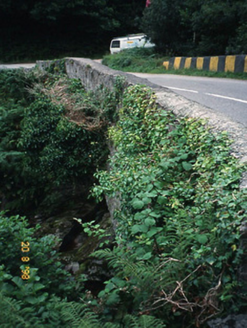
(227, 96)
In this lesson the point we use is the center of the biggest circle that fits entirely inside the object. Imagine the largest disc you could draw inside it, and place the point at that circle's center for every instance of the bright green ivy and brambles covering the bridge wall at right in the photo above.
(178, 224)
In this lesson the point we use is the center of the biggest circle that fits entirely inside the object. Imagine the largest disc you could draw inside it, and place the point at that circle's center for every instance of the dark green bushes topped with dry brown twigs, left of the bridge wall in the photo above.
(51, 139)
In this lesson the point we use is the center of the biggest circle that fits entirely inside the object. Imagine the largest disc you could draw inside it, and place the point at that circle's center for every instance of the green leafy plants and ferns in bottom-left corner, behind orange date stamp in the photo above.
(33, 301)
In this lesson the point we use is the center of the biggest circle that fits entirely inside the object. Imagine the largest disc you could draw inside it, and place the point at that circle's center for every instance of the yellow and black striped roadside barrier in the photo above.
(236, 63)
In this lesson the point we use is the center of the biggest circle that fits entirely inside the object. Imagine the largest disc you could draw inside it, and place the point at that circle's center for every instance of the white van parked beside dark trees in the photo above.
(129, 41)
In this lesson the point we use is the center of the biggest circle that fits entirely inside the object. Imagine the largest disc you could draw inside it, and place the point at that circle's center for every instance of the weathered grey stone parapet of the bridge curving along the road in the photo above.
(93, 75)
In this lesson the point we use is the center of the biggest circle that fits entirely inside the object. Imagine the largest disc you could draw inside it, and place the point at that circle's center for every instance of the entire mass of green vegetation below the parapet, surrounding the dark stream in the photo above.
(176, 251)
